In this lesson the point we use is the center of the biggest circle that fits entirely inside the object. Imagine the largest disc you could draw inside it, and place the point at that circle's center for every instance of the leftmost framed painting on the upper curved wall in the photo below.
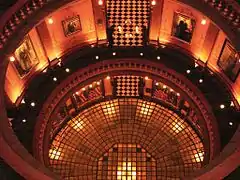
(26, 57)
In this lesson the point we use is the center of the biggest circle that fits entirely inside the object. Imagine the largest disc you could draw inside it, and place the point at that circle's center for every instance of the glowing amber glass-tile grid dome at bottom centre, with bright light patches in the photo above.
(95, 133)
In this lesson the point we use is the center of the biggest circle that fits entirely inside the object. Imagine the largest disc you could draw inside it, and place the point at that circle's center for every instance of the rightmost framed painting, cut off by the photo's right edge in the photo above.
(229, 61)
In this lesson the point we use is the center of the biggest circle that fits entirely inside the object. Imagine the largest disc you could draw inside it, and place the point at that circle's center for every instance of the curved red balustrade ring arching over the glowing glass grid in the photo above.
(122, 65)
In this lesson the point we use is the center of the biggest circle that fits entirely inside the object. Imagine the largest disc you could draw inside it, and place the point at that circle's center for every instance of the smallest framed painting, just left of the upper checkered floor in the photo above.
(71, 25)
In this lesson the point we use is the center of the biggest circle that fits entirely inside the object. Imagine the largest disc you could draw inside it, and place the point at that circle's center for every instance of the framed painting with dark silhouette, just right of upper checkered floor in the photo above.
(183, 27)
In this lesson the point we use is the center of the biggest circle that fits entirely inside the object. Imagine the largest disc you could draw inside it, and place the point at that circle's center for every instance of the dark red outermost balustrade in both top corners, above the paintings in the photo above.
(228, 9)
